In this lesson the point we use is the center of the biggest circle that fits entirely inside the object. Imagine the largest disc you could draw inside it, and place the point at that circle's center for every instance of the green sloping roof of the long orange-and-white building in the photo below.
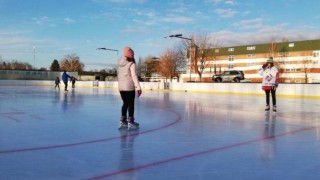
(307, 45)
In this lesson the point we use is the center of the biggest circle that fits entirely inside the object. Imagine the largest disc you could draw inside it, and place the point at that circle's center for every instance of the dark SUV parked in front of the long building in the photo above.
(229, 76)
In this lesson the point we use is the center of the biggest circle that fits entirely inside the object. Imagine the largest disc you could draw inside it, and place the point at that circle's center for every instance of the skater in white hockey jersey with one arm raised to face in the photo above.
(270, 81)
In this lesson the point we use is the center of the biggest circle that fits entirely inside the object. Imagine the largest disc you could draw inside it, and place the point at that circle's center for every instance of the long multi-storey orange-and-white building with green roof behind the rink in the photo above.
(298, 61)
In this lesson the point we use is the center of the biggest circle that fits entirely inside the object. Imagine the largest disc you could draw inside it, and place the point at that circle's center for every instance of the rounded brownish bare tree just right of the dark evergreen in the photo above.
(71, 63)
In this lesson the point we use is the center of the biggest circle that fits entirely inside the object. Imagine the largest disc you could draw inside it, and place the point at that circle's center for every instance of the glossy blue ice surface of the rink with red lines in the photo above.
(47, 134)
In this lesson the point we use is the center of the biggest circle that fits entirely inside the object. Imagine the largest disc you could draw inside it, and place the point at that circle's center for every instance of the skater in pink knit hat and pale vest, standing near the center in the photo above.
(127, 83)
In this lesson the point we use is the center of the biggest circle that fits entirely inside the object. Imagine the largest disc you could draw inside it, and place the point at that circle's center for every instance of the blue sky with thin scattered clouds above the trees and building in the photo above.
(39, 31)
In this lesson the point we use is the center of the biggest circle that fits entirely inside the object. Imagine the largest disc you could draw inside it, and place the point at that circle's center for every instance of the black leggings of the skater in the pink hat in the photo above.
(128, 102)
